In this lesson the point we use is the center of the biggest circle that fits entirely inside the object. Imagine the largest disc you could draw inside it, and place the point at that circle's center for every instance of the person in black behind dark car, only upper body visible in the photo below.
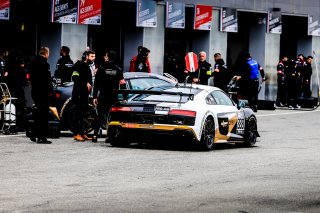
(64, 65)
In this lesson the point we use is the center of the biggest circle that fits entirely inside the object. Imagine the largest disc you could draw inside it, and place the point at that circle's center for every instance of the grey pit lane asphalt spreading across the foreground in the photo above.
(280, 174)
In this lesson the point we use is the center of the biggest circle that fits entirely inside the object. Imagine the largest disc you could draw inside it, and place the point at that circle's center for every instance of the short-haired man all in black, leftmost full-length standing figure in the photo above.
(42, 91)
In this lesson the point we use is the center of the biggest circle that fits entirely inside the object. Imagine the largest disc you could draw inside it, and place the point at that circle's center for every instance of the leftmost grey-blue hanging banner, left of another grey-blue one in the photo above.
(146, 15)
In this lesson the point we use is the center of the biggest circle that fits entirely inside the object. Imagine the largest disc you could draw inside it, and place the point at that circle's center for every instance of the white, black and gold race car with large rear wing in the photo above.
(199, 113)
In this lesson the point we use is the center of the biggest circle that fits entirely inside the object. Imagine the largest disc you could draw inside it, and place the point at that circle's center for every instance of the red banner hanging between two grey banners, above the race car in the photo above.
(202, 17)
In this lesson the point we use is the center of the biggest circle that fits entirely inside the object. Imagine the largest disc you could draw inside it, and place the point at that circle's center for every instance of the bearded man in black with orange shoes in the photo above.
(82, 79)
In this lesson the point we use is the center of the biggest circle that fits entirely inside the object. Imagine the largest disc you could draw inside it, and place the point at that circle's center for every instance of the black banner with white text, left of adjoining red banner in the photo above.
(65, 11)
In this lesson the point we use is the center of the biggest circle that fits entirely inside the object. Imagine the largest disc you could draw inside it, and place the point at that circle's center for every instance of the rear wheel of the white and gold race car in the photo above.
(207, 136)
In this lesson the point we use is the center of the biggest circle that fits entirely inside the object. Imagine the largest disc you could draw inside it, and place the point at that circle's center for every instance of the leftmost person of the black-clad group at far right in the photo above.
(282, 81)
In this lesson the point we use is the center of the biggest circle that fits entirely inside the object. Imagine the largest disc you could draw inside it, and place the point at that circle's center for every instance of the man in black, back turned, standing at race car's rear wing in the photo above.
(109, 77)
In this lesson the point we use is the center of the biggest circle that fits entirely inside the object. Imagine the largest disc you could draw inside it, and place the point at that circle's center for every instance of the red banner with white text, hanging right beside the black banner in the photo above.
(90, 12)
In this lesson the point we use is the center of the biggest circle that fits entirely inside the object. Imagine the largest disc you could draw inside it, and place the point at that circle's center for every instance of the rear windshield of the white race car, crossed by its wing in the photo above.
(168, 97)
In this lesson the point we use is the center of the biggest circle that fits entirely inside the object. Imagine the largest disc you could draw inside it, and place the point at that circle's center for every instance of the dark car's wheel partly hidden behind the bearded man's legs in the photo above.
(68, 115)
